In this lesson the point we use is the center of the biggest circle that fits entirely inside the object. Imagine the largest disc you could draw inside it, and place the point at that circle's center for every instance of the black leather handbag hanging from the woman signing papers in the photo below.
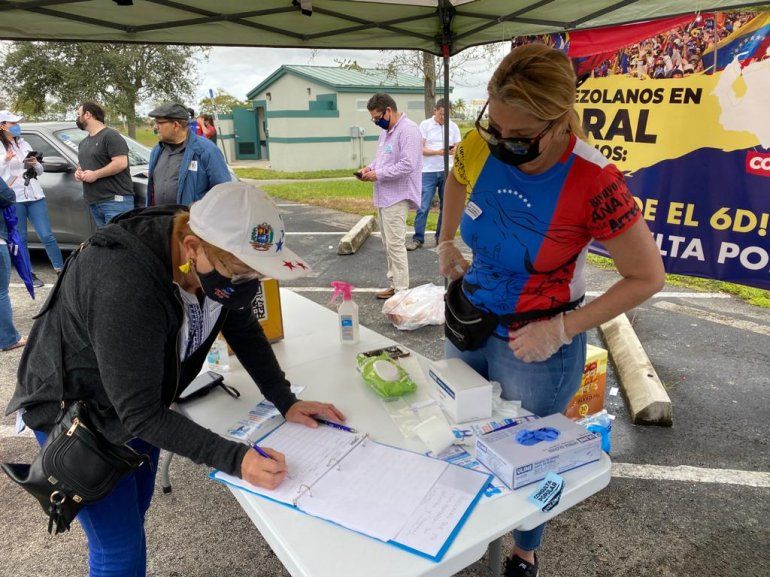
(75, 467)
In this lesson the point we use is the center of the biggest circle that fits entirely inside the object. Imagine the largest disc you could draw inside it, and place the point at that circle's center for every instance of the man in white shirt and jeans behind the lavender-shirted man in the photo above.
(432, 130)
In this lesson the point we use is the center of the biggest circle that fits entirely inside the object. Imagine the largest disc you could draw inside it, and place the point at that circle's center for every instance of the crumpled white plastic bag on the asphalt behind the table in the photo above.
(414, 308)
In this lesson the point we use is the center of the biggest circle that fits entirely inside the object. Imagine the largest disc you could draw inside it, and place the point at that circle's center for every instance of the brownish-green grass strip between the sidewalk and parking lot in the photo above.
(347, 196)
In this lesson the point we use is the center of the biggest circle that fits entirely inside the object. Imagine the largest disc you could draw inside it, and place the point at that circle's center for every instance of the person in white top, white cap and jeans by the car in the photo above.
(20, 171)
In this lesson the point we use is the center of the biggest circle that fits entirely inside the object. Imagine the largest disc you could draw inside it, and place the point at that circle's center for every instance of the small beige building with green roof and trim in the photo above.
(315, 117)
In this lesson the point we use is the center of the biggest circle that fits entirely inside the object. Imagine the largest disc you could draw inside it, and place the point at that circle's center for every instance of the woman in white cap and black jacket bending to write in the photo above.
(127, 328)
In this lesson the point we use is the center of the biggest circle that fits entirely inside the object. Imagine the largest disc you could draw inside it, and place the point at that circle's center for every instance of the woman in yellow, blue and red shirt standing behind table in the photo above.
(529, 195)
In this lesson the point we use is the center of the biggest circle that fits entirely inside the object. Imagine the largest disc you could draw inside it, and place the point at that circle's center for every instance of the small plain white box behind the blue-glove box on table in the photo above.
(463, 393)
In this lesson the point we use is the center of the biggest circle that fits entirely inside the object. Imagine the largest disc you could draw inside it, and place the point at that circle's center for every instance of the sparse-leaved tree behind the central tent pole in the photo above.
(462, 66)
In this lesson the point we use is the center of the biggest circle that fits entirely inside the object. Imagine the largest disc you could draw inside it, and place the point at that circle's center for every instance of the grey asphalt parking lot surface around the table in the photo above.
(709, 518)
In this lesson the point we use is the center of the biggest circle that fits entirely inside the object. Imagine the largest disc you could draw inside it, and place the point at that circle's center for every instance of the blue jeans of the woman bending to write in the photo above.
(114, 526)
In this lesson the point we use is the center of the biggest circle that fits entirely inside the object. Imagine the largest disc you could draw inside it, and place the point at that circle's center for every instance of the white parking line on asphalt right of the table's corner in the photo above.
(691, 474)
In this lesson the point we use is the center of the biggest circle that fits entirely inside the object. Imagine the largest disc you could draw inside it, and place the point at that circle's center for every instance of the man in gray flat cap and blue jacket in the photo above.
(183, 165)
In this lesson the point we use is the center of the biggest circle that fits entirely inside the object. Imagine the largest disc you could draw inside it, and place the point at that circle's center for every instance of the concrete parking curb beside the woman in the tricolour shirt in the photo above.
(646, 398)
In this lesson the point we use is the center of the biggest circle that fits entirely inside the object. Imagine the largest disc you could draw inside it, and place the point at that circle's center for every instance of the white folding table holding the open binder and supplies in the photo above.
(312, 355)
